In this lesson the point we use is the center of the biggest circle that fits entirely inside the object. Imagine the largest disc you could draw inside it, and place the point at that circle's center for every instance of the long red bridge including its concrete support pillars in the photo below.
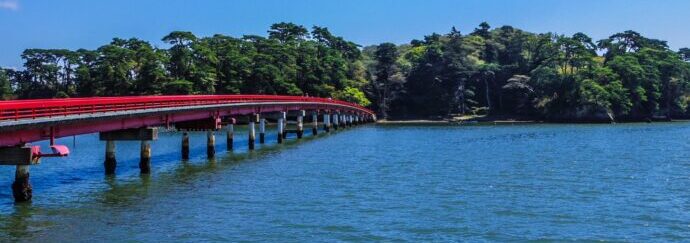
(136, 118)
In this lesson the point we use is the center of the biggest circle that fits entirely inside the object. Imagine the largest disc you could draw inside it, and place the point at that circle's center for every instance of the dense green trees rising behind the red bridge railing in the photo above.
(291, 60)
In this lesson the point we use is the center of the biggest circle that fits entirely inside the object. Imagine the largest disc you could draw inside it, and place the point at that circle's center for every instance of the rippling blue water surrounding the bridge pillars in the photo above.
(624, 182)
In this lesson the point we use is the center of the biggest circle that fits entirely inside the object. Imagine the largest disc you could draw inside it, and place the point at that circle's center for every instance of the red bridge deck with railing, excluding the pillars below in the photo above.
(33, 120)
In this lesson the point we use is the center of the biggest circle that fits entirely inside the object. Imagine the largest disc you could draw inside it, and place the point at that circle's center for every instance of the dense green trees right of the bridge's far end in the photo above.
(507, 71)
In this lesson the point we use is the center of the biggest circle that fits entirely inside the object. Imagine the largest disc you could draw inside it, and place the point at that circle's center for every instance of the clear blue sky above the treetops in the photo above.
(77, 24)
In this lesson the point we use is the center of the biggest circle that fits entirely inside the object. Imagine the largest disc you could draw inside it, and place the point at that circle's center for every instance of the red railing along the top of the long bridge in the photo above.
(38, 108)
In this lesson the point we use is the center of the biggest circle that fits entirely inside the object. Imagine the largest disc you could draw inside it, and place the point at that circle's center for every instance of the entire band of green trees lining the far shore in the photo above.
(499, 72)
